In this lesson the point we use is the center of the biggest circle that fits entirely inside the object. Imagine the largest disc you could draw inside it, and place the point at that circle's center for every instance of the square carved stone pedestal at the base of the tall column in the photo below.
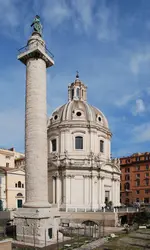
(36, 226)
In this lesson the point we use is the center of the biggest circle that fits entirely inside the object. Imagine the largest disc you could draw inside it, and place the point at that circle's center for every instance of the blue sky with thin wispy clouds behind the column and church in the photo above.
(107, 41)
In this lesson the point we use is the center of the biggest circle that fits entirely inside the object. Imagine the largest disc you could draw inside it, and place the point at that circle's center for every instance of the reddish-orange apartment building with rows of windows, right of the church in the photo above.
(135, 178)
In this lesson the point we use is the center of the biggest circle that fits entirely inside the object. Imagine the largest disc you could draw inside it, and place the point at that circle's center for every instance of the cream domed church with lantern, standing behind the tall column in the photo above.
(81, 174)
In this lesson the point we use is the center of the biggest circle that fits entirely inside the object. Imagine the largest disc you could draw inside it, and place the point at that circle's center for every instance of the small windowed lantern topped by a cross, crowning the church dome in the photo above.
(77, 90)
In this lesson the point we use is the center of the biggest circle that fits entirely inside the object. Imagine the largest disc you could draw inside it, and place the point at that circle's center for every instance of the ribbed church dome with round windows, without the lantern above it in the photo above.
(79, 110)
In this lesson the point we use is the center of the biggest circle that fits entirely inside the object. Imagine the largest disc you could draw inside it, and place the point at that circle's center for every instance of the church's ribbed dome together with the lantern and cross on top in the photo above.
(77, 108)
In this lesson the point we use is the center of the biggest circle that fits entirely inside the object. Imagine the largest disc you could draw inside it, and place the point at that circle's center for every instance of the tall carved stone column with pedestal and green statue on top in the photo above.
(37, 221)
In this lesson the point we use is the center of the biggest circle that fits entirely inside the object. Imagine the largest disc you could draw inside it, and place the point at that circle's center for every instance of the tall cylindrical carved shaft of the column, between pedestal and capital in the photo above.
(36, 134)
